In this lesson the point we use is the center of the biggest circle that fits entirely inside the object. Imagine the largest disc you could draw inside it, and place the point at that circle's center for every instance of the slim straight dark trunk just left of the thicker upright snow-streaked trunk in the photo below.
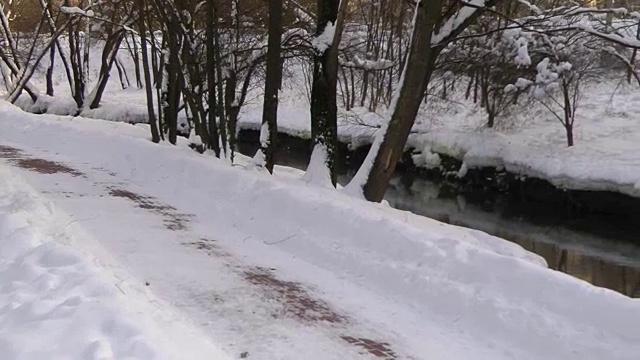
(272, 82)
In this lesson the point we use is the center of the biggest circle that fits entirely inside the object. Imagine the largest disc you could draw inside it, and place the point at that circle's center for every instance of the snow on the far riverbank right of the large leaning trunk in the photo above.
(605, 157)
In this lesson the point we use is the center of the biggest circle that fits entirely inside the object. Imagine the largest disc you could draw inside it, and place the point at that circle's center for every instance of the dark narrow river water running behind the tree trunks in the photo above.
(603, 251)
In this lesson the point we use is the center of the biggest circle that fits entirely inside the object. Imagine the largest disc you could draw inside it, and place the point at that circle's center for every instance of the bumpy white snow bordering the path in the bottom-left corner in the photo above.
(57, 303)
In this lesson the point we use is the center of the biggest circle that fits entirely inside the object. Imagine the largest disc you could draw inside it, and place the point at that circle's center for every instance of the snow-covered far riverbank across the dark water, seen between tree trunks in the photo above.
(531, 143)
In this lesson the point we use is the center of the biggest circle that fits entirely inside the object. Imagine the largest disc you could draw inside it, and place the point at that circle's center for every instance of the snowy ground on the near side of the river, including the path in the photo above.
(269, 267)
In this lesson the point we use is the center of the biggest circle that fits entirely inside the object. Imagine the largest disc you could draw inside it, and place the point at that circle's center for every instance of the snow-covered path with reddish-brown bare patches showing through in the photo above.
(152, 250)
